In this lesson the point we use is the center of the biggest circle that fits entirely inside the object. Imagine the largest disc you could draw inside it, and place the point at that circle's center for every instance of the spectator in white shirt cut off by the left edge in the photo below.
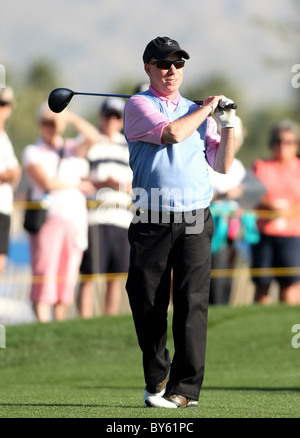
(10, 173)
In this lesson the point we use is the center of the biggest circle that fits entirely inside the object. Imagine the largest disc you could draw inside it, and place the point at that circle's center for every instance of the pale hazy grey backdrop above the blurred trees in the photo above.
(97, 44)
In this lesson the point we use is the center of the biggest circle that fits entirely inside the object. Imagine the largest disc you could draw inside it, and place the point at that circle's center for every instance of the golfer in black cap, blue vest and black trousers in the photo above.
(171, 141)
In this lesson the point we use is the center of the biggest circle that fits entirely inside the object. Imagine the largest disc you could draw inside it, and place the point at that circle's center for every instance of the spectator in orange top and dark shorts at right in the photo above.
(279, 221)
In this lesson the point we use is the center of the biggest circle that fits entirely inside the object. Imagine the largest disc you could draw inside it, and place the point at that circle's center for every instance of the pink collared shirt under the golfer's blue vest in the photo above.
(144, 123)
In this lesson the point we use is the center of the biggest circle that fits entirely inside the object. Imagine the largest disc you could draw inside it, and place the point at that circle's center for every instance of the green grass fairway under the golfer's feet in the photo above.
(92, 368)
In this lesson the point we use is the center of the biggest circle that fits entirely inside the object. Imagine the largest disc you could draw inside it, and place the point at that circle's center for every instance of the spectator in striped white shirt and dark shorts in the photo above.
(108, 249)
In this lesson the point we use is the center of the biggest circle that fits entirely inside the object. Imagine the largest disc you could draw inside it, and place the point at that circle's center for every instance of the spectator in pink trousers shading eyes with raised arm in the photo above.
(54, 167)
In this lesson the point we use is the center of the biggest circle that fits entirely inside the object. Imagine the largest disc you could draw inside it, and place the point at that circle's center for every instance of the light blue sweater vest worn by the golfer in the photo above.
(172, 177)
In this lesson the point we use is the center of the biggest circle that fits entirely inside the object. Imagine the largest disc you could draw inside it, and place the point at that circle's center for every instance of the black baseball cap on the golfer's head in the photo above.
(161, 47)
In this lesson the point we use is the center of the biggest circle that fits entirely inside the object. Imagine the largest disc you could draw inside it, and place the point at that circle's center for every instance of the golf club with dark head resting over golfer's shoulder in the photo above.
(59, 98)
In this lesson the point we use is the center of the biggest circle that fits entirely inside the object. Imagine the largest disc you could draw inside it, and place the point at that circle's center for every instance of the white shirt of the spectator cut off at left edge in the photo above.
(8, 160)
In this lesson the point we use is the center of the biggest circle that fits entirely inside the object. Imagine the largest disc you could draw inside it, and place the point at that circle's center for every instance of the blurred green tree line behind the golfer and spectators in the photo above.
(41, 77)
